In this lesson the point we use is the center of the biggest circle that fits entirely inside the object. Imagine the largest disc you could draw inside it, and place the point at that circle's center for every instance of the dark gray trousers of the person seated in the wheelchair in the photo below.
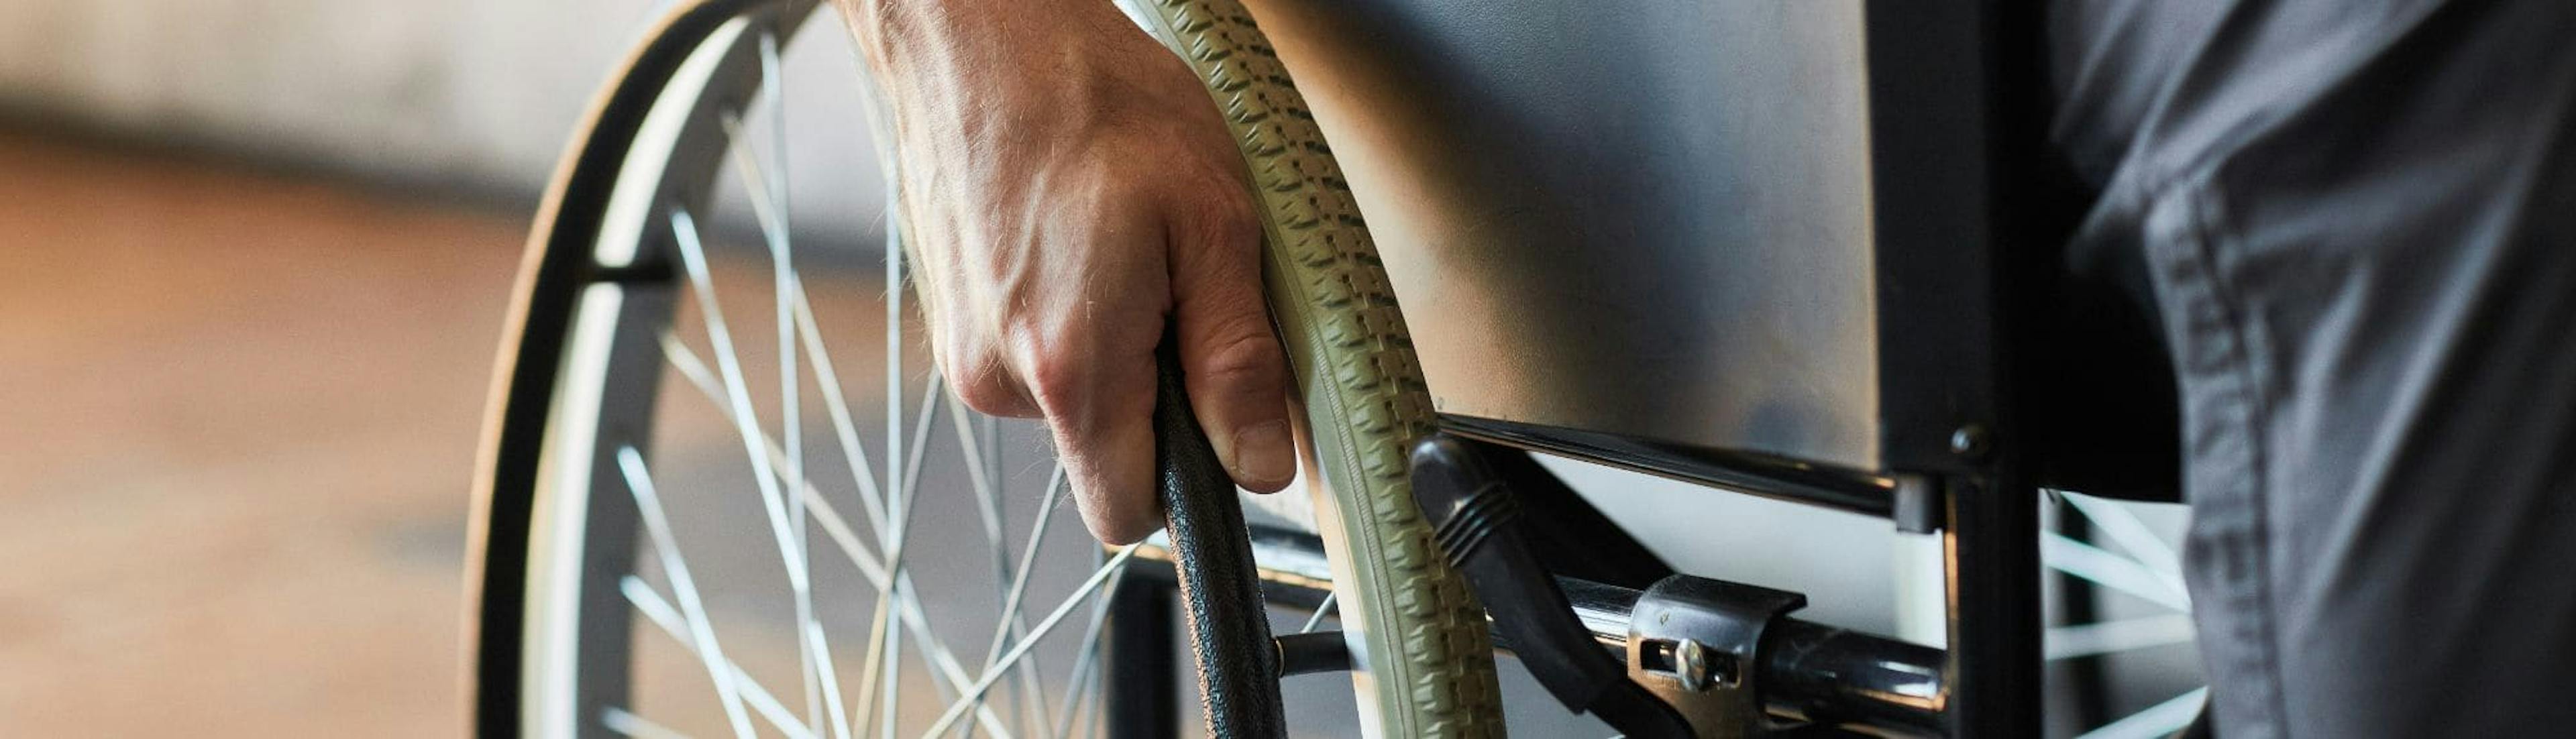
(2358, 228)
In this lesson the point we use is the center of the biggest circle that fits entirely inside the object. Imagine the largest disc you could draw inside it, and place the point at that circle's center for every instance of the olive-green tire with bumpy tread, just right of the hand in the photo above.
(1341, 321)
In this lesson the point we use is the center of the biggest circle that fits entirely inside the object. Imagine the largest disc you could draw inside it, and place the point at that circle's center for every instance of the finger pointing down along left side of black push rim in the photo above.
(1101, 411)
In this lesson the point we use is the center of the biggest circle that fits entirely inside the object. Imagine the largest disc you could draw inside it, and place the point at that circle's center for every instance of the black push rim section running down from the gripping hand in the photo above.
(1212, 560)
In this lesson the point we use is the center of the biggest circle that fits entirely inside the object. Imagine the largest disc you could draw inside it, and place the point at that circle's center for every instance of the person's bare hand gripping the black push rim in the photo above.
(1070, 189)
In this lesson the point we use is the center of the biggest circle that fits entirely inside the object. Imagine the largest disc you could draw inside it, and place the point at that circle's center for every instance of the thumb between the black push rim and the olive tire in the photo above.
(1230, 359)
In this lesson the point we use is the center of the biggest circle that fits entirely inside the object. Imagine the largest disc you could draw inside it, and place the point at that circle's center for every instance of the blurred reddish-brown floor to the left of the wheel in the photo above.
(238, 418)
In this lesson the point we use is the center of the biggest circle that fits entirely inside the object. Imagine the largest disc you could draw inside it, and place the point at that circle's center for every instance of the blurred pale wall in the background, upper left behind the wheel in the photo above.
(465, 97)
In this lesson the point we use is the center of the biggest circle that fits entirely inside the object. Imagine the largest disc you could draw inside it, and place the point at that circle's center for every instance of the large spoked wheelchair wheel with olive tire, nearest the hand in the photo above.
(723, 488)
